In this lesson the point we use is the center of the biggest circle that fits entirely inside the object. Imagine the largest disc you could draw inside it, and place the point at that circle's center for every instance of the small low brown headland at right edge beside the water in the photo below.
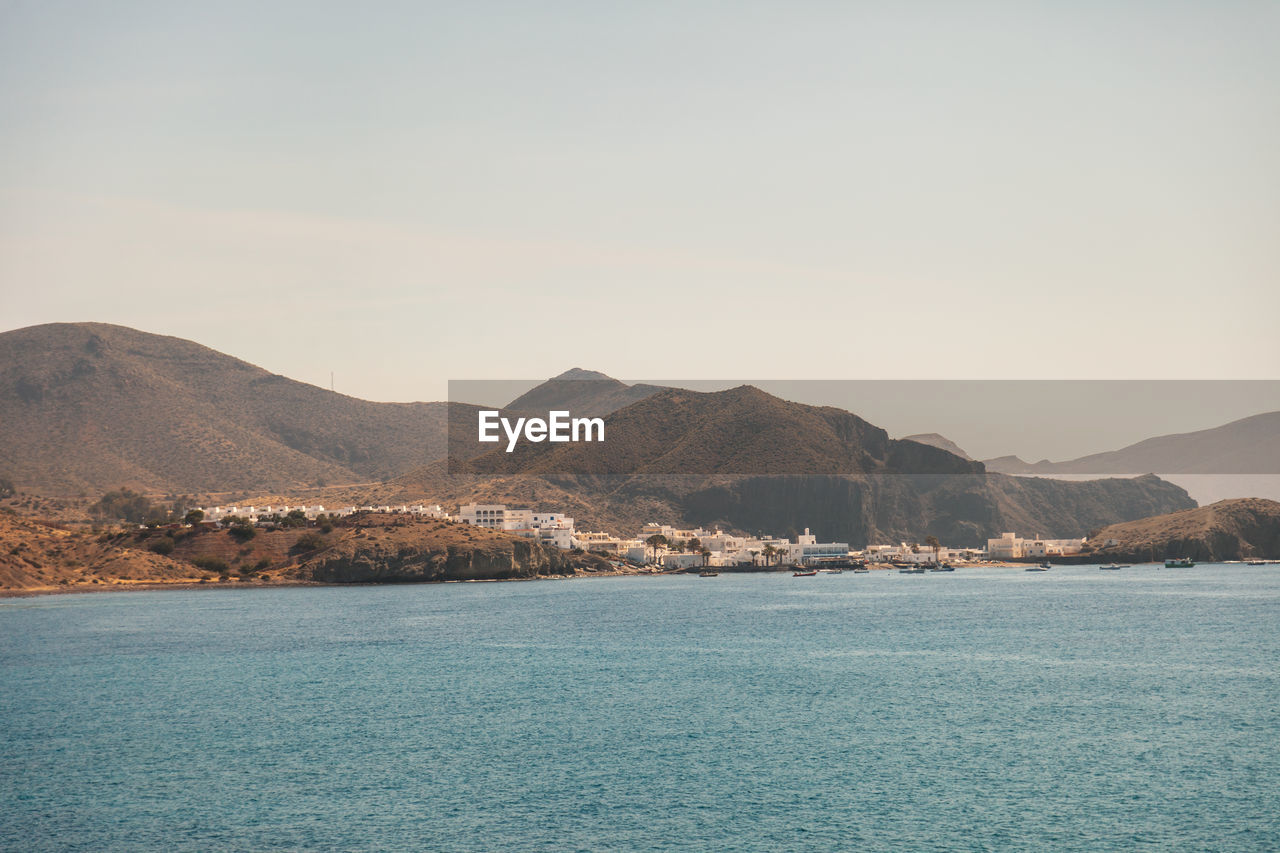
(1238, 530)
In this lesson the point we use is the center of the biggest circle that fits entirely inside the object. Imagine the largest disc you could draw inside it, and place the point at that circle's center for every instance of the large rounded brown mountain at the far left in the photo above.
(90, 407)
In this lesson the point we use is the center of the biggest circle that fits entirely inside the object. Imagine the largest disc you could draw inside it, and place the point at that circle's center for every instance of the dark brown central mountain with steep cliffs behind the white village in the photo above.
(746, 460)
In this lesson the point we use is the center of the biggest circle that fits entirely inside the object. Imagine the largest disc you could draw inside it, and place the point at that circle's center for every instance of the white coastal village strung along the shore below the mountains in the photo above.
(666, 546)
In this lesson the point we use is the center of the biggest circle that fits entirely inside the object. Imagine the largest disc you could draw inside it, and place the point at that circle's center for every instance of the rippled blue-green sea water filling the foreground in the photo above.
(985, 710)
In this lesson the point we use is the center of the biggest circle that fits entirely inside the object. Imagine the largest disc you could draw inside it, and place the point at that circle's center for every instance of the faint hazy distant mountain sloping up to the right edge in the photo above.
(1250, 446)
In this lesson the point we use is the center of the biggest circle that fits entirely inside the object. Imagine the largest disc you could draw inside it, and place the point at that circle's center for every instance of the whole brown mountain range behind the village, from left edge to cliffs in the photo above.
(86, 408)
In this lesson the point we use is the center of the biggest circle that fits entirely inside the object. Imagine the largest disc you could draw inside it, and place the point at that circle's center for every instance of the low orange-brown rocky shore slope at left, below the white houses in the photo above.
(365, 549)
